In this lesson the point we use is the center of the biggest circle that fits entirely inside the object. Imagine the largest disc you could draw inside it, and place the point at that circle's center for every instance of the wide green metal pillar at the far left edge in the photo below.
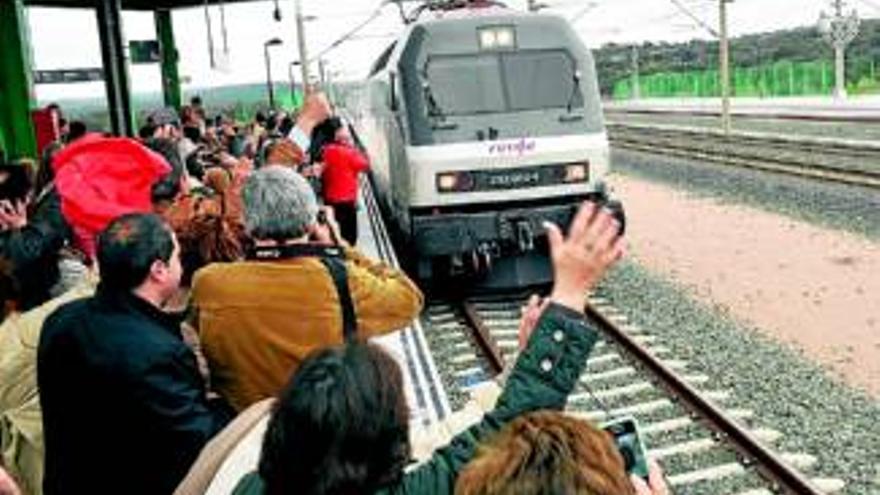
(16, 85)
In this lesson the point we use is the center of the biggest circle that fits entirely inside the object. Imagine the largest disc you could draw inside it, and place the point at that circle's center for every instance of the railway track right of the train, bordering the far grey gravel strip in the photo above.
(844, 161)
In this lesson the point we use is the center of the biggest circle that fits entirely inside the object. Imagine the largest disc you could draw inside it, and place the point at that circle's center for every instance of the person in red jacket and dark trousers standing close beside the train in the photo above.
(343, 162)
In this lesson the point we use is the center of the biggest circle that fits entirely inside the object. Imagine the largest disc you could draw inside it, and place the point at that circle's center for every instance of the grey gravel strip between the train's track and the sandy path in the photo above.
(816, 414)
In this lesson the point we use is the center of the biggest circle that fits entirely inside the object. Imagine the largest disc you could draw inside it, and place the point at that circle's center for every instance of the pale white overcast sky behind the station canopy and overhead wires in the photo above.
(66, 38)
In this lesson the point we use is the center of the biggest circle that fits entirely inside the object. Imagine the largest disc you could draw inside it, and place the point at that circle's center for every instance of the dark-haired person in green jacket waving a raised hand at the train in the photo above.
(341, 423)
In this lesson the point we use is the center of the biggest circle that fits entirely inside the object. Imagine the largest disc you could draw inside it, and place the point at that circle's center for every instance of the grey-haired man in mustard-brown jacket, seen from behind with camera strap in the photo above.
(260, 317)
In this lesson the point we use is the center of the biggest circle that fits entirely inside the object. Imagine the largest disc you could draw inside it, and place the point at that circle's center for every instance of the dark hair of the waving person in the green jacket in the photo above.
(339, 427)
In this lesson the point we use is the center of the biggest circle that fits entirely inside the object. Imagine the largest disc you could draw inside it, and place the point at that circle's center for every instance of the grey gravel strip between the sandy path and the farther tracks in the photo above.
(836, 206)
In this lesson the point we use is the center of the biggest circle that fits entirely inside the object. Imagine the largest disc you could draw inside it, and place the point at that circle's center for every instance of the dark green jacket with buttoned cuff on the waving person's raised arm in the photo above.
(542, 378)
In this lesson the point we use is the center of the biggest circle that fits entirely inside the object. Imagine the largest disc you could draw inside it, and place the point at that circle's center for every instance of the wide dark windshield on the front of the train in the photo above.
(502, 82)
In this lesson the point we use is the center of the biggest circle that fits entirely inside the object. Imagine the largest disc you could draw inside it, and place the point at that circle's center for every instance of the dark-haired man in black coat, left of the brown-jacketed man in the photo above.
(124, 405)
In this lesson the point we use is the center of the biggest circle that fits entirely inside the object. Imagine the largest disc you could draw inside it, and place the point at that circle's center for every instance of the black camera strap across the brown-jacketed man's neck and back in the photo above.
(333, 259)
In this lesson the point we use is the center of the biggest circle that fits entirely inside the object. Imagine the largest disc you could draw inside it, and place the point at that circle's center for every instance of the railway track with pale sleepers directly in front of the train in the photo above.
(706, 443)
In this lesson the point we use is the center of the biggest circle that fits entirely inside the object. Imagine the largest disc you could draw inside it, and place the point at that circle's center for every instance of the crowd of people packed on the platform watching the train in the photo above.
(161, 292)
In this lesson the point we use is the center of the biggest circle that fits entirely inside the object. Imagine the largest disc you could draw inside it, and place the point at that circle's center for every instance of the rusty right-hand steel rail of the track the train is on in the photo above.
(769, 465)
